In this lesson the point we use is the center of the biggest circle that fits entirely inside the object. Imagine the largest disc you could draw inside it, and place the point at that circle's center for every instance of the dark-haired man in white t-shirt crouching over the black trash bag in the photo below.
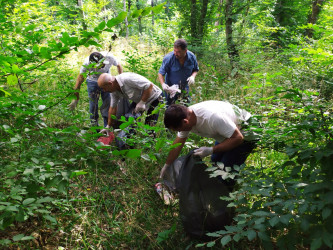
(213, 119)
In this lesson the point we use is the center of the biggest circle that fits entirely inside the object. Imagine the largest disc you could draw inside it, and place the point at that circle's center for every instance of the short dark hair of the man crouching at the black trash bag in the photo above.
(174, 116)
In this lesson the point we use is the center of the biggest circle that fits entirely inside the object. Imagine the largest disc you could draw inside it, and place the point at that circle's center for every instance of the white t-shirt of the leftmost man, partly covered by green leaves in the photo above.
(95, 73)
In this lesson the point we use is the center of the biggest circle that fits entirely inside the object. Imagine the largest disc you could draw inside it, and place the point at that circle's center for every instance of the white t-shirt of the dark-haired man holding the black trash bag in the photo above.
(216, 119)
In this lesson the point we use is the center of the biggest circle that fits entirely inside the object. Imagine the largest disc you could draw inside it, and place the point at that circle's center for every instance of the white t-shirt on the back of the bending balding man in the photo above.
(132, 86)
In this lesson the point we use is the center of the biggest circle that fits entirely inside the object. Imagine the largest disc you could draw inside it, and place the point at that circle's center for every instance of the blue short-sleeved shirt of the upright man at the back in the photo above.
(175, 73)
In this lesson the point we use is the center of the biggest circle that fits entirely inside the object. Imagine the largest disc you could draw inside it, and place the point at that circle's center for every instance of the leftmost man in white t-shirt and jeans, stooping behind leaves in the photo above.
(94, 65)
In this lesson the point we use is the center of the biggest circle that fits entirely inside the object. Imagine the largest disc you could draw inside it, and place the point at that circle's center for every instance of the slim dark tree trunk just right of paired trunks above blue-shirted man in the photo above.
(231, 47)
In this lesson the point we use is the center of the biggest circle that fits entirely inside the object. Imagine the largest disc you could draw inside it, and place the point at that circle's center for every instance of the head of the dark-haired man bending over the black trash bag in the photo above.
(177, 117)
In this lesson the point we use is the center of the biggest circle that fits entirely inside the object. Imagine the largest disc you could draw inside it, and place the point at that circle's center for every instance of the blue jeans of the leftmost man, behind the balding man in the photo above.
(94, 92)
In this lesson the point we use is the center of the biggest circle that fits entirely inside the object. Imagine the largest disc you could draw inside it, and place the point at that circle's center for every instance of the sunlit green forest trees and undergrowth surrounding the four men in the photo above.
(270, 57)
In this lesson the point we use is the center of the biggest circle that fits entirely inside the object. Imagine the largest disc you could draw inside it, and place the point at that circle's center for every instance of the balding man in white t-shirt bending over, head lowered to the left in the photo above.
(131, 86)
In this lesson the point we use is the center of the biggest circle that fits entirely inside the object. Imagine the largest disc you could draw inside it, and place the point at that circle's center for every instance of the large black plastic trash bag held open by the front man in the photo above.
(201, 209)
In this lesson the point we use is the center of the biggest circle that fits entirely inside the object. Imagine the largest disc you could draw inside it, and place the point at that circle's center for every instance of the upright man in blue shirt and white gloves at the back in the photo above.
(179, 68)
